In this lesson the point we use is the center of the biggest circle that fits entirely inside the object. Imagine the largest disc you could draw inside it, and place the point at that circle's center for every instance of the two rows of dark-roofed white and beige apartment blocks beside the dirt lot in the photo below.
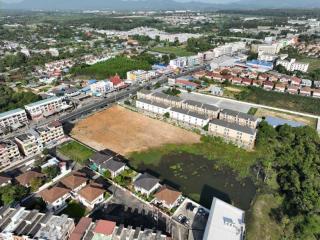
(236, 127)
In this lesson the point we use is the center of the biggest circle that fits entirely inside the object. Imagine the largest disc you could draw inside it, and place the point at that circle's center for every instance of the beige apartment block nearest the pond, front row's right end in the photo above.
(240, 135)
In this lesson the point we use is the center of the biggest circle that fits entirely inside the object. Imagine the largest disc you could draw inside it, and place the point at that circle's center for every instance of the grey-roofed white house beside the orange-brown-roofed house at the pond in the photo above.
(146, 184)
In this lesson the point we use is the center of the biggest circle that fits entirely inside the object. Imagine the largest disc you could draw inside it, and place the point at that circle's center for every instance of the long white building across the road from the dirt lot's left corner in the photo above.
(46, 107)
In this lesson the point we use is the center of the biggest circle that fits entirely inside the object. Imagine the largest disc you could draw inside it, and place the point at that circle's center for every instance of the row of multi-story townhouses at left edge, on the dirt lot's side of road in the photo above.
(30, 143)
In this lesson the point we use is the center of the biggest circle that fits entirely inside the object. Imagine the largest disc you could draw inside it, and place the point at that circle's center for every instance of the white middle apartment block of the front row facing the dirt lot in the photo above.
(188, 117)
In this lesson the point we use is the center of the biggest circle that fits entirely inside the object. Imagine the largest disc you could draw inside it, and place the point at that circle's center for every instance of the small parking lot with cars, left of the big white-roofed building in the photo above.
(193, 217)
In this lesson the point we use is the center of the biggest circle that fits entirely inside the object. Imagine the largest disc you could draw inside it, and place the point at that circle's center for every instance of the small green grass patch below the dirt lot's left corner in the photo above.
(76, 151)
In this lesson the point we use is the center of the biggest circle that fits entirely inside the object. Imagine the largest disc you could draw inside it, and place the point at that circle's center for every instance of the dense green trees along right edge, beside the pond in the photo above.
(293, 156)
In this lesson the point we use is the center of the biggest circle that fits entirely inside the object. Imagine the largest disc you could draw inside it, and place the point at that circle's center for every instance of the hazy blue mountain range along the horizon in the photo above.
(154, 5)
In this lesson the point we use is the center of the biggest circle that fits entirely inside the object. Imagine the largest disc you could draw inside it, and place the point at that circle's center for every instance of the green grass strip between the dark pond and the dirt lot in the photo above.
(214, 149)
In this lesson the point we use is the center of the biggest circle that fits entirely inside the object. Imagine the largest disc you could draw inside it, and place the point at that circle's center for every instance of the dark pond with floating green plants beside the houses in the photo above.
(201, 179)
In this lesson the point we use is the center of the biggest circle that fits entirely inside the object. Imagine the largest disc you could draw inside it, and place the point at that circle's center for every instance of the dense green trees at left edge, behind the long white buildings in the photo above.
(9, 99)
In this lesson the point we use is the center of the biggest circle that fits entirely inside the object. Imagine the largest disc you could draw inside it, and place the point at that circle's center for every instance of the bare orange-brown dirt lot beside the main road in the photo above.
(124, 131)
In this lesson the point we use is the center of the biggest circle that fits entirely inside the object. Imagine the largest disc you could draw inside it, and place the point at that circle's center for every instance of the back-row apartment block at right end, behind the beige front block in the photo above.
(239, 118)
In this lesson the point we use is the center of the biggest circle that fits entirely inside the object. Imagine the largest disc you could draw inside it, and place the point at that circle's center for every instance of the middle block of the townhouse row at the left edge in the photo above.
(29, 143)
